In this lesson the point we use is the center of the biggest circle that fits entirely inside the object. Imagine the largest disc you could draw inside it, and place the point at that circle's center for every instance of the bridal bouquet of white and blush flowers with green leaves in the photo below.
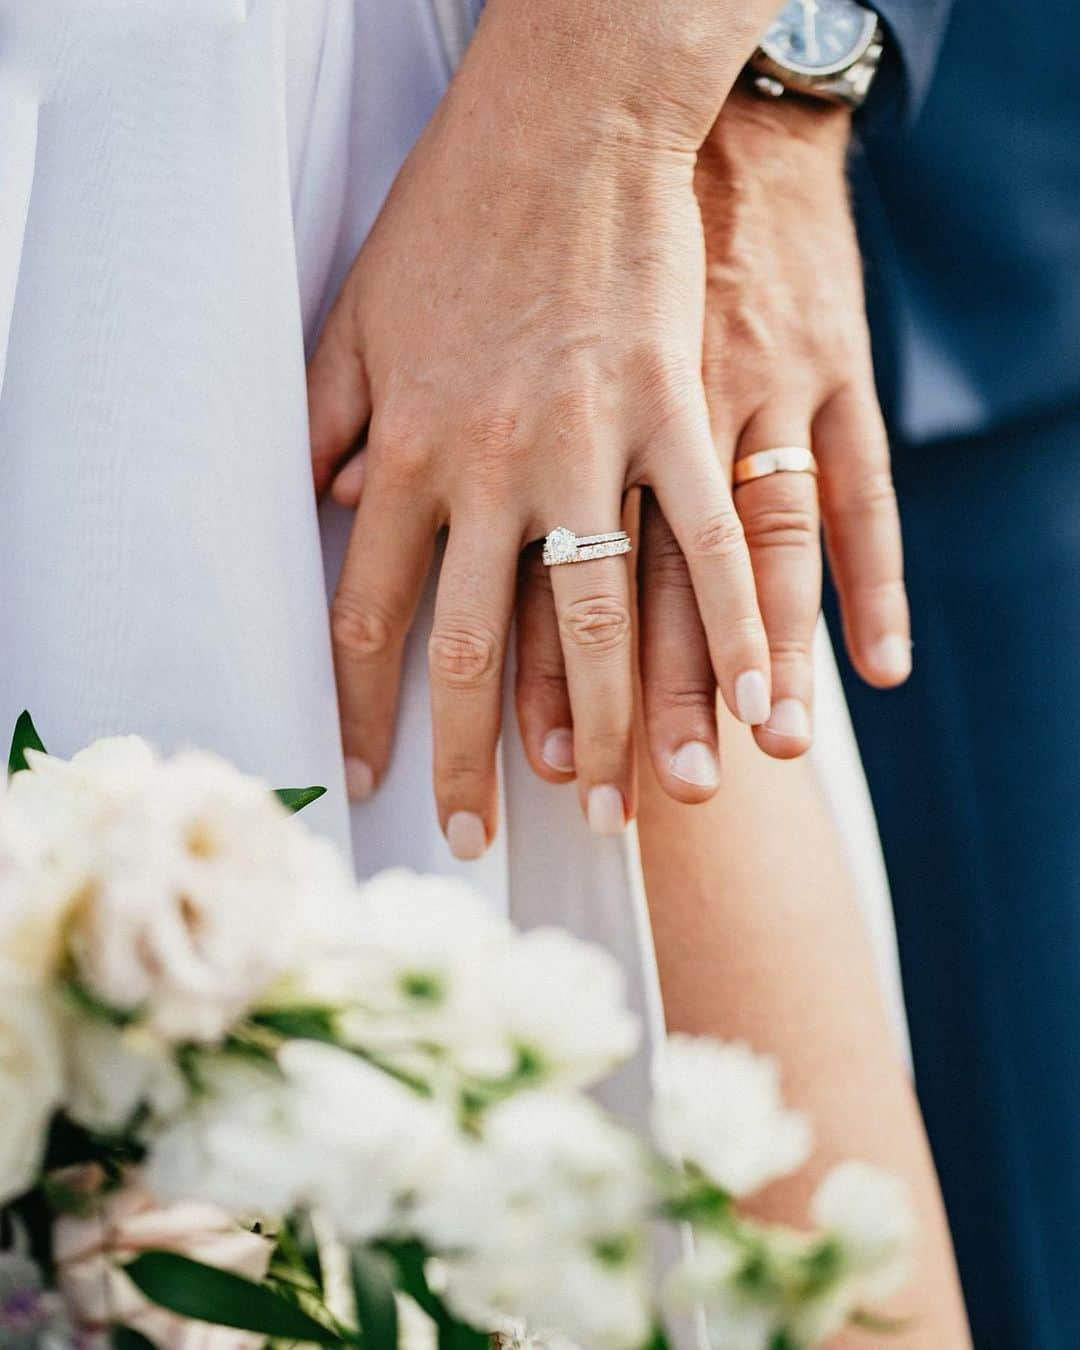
(245, 1102)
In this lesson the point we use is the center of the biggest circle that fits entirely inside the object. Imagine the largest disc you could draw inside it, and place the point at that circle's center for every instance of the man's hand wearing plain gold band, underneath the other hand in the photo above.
(786, 362)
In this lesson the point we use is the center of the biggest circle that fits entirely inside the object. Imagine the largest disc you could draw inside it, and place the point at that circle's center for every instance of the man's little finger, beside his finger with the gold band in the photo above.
(863, 537)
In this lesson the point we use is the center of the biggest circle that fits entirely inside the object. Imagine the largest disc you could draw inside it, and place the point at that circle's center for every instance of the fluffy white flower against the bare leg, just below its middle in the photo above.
(720, 1109)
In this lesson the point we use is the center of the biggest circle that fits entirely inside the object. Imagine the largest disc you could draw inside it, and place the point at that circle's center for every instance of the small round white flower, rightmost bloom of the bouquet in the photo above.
(869, 1212)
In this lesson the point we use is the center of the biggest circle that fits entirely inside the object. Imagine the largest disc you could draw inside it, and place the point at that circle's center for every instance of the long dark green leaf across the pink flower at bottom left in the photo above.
(205, 1294)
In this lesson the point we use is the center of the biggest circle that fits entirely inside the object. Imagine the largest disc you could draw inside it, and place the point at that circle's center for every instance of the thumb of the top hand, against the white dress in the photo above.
(340, 400)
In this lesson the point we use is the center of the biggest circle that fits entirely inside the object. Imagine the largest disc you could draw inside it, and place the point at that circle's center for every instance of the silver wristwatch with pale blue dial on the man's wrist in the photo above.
(824, 49)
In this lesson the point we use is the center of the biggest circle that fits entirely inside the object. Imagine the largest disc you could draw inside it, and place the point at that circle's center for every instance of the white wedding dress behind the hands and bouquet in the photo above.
(183, 186)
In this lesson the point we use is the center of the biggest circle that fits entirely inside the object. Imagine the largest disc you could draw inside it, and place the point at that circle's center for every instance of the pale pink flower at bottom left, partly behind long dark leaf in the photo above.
(91, 1252)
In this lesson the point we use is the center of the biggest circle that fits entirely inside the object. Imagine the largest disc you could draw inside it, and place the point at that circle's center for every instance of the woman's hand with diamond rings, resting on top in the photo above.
(523, 329)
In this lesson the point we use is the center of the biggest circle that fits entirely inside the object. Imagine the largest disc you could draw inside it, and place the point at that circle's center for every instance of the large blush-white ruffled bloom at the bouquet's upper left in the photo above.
(188, 886)
